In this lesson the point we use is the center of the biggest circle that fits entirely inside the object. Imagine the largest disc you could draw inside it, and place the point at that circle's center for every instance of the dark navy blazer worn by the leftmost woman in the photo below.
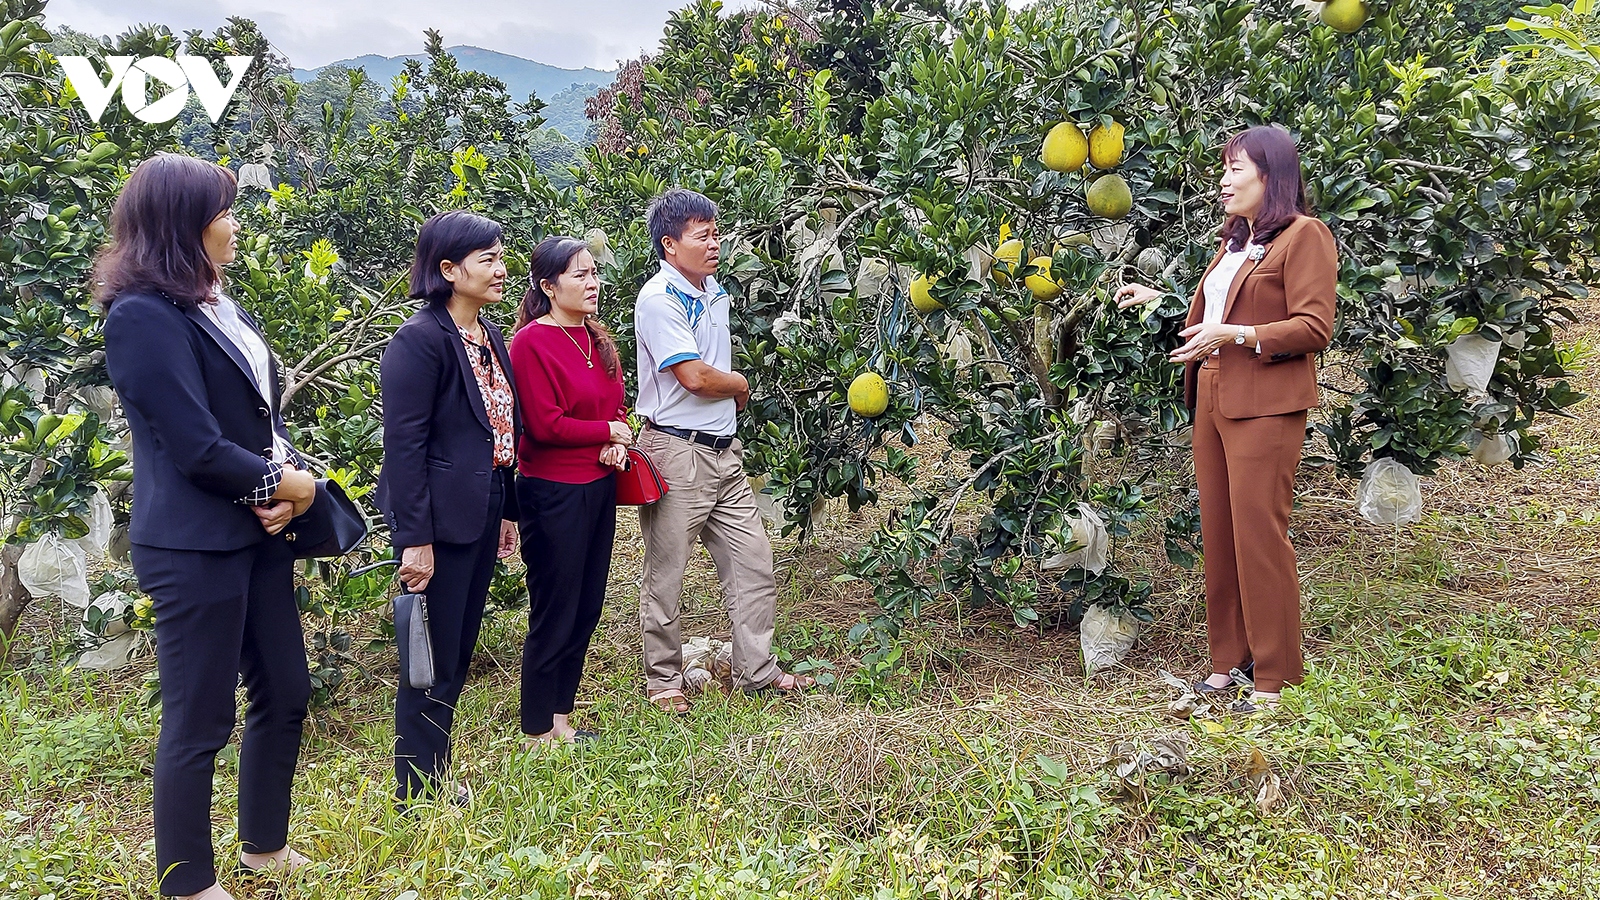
(202, 432)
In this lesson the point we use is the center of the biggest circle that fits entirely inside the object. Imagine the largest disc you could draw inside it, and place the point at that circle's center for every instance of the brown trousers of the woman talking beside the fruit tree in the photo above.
(1246, 470)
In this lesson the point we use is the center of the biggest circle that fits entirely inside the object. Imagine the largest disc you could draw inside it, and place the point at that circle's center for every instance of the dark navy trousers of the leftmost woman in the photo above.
(223, 617)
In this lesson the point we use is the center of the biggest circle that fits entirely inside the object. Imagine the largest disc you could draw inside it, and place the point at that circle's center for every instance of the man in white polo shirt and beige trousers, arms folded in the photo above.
(689, 395)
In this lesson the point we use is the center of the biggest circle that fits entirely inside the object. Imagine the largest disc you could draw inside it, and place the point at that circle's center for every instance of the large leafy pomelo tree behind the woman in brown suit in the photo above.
(870, 145)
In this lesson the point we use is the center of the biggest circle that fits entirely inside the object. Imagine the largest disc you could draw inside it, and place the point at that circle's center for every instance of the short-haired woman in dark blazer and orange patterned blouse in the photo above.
(446, 491)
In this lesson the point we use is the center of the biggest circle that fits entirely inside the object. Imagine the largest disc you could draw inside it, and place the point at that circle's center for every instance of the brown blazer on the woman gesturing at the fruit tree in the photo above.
(1289, 295)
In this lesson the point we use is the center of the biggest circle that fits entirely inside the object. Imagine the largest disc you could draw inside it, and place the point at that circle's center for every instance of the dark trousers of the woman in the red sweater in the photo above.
(567, 534)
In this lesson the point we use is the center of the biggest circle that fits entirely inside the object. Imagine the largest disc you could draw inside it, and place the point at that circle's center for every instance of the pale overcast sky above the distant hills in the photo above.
(314, 33)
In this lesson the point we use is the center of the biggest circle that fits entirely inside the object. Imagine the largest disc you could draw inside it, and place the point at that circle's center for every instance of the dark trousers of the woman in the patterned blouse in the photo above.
(455, 616)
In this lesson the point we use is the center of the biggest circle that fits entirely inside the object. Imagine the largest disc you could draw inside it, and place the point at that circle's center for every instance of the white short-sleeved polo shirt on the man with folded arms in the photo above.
(676, 323)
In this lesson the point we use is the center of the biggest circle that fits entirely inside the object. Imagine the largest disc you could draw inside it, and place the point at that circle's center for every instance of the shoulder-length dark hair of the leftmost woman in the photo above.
(158, 231)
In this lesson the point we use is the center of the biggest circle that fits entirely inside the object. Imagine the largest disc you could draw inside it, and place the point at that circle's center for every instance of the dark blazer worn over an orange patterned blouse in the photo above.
(439, 444)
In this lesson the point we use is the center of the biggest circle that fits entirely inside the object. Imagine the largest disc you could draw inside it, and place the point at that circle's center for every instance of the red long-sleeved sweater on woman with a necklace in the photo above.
(567, 408)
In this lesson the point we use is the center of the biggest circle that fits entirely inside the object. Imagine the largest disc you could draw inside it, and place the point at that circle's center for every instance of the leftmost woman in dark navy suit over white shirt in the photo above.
(215, 483)
